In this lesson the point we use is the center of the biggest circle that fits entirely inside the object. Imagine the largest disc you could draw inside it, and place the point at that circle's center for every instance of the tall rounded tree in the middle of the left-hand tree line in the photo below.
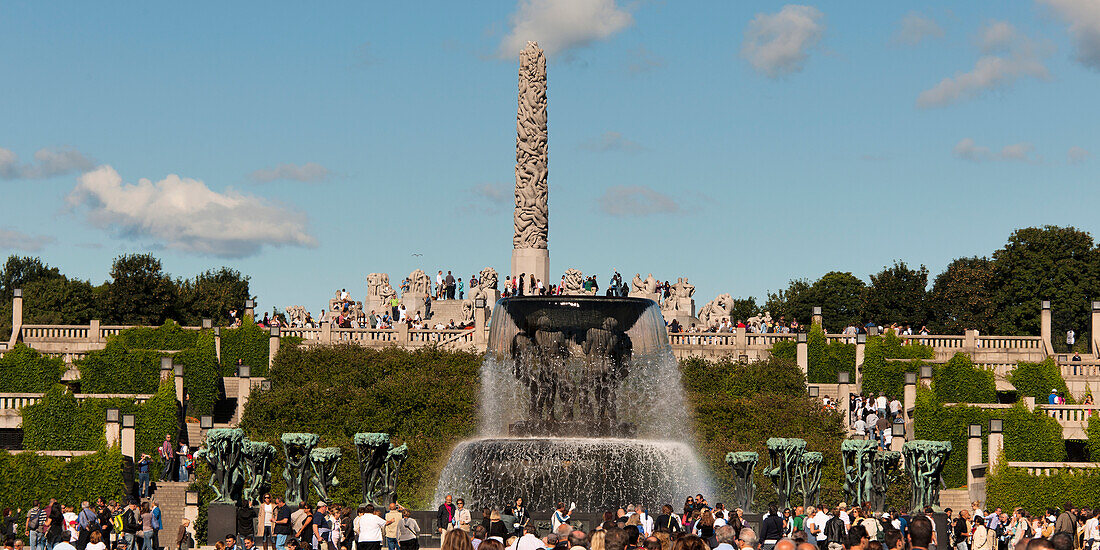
(140, 293)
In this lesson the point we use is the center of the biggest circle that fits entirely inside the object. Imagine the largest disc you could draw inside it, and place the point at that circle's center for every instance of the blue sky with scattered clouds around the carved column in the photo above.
(741, 145)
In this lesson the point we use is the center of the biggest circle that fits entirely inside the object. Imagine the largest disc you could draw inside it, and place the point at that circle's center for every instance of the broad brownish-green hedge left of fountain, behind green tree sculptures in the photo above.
(426, 399)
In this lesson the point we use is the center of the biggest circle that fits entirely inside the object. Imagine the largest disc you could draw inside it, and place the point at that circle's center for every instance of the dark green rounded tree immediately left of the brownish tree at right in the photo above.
(897, 295)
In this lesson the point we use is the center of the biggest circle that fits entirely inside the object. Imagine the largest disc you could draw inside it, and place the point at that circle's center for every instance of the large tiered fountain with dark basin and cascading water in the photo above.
(581, 402)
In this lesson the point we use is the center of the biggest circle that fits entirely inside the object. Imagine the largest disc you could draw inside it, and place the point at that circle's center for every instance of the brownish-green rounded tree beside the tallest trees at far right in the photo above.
(962, 298)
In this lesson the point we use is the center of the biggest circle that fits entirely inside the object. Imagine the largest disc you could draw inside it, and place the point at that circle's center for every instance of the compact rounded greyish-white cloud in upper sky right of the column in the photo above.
(778, 45)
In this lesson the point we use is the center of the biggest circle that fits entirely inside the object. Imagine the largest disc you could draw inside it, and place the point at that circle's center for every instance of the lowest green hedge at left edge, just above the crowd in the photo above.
(28, 478)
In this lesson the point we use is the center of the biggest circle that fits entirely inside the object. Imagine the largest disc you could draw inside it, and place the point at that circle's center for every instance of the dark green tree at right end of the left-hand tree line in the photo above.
(212, 295)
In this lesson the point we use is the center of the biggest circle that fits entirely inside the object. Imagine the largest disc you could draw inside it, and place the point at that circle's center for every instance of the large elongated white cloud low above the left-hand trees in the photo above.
(185, 215)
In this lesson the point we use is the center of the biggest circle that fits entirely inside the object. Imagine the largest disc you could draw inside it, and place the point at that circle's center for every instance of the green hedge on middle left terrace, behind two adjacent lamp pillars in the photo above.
(60, 423)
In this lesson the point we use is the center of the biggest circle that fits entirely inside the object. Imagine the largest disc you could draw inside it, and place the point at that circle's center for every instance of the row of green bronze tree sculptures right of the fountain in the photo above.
(868, 472)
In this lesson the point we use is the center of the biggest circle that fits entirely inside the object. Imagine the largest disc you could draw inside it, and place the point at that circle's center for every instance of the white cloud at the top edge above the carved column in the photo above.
(563, 25)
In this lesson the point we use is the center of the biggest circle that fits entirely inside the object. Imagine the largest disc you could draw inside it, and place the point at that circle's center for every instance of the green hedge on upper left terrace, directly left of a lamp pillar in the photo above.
(118, 369)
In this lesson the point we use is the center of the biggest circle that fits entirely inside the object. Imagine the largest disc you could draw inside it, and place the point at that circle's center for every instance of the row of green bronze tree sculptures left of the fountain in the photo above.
(240, 469)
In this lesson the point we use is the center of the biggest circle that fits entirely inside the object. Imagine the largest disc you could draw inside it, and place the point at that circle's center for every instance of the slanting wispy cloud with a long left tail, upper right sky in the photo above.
(1009, 57)
